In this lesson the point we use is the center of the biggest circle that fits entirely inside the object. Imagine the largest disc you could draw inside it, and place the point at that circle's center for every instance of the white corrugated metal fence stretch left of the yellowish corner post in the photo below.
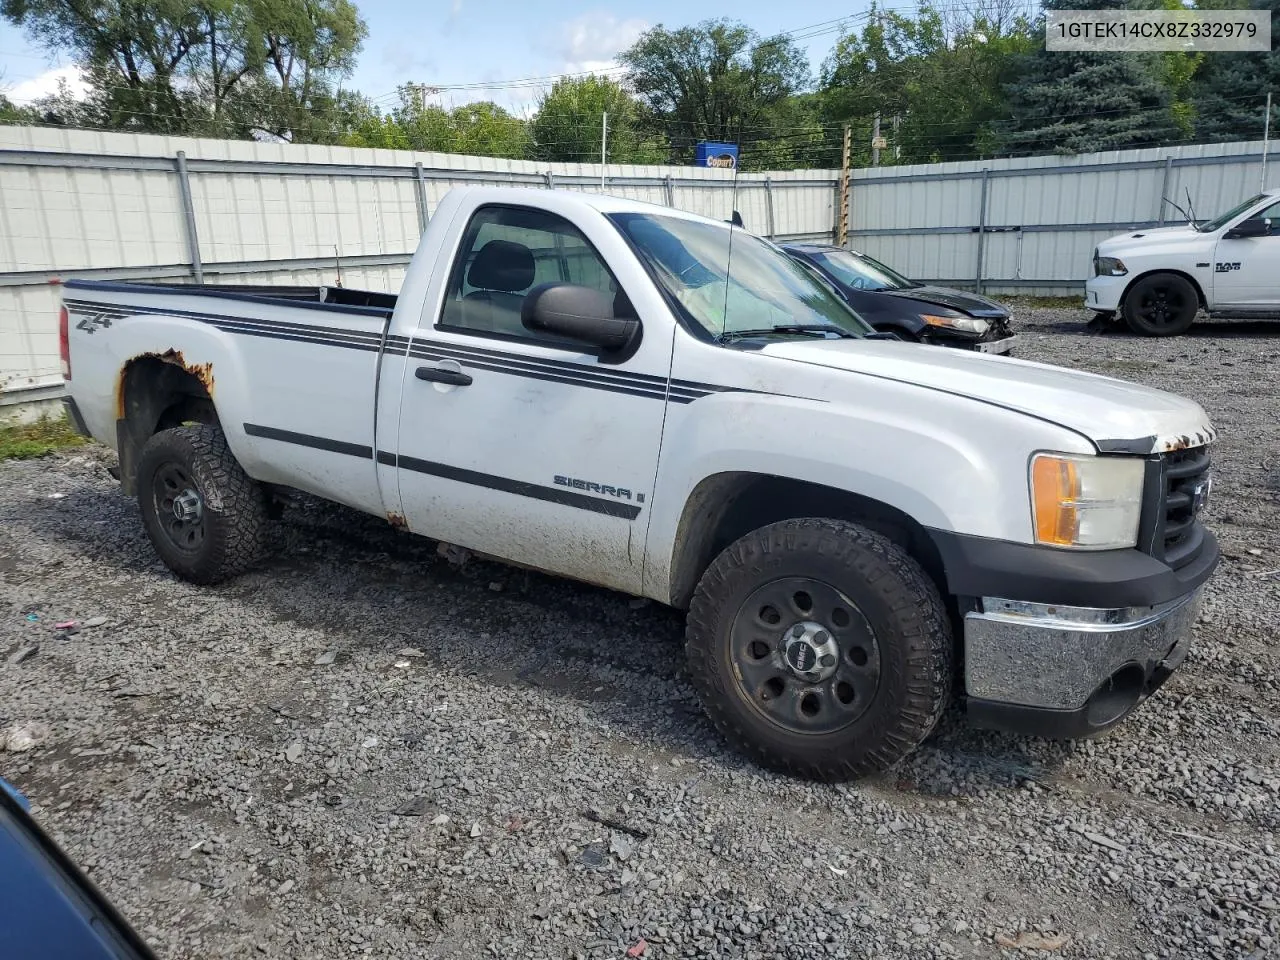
(122, 207)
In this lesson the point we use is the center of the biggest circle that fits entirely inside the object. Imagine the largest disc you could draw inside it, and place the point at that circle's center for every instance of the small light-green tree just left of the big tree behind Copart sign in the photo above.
(569, 120)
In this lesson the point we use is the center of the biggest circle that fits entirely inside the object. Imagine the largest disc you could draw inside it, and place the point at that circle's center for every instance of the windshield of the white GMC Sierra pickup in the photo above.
(760, 290)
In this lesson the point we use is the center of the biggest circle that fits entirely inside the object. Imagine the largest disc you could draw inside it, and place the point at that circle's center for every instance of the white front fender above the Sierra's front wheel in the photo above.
(949, 463)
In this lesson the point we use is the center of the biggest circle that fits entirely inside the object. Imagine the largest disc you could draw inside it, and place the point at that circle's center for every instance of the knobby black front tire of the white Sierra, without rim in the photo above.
(898, 601)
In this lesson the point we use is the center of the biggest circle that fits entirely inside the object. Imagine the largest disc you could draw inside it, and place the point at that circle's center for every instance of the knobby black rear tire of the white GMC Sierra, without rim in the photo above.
(237, 527)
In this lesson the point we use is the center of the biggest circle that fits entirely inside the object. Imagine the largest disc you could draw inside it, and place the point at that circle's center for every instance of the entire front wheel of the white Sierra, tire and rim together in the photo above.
(820, 648)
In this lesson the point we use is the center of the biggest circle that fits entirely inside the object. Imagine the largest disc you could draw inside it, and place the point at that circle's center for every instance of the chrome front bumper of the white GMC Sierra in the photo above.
(1066, 660)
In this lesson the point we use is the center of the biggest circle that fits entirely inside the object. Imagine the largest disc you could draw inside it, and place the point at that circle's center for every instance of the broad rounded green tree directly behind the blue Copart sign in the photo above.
(716, 81)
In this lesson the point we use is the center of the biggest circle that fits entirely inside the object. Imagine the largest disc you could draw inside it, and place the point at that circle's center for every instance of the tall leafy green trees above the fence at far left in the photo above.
(228, 68)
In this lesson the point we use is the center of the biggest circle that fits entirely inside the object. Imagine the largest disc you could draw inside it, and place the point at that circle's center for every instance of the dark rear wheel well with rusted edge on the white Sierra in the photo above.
(158, 392)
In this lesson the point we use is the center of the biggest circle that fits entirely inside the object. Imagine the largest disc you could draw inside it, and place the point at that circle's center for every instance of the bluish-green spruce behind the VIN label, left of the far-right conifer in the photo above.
(1076, 103)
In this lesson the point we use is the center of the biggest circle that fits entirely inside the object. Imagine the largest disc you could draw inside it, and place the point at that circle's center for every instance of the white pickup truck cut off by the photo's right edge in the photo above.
(1159, 280)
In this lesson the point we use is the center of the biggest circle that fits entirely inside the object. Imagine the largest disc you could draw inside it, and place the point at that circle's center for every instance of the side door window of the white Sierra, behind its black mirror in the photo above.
(506, 253)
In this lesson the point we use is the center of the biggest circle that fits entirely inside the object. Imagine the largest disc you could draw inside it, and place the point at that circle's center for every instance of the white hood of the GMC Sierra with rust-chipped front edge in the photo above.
(1118, 417)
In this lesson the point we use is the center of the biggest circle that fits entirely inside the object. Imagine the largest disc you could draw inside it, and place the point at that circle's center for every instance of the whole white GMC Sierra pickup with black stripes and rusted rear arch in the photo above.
(671, 408)
